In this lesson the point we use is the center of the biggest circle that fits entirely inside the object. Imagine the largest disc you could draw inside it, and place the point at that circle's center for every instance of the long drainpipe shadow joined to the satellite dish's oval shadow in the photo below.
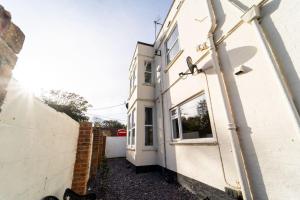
(235, 58)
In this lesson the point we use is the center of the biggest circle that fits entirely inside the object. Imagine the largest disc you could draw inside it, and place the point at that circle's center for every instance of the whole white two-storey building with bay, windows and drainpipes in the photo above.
(234, 124)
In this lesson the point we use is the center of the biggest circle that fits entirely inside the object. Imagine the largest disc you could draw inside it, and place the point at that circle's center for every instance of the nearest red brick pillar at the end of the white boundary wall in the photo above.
(83, 158)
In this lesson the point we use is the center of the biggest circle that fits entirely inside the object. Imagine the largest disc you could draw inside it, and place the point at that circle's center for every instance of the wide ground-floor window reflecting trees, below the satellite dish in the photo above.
(190, 120)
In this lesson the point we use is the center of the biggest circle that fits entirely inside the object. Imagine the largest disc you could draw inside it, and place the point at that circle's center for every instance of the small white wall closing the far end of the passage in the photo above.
(115, 147)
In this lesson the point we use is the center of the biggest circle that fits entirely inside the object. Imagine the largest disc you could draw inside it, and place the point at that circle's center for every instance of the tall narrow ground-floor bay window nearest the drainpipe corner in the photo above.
(148, 126)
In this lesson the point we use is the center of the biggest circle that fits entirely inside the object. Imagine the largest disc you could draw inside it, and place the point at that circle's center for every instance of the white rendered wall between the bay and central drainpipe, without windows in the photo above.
(211, 163)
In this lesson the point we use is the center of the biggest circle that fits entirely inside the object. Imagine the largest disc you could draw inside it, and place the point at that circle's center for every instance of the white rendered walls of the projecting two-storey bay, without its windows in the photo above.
(143, 96)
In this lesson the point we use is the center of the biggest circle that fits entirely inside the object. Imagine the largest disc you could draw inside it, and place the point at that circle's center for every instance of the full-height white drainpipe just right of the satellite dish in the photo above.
(234, 139)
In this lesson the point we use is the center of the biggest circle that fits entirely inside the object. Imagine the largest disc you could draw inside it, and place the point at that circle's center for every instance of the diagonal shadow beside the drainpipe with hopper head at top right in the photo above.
(279, 49)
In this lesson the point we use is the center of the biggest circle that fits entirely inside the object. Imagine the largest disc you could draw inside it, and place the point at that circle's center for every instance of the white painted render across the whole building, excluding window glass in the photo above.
(266, 122)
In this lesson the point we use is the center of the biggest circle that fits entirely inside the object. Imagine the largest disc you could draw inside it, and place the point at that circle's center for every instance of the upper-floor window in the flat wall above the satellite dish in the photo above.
(172, 45)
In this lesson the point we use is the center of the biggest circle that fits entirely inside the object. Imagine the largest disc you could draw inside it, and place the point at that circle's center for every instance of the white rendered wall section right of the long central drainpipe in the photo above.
(269, 136)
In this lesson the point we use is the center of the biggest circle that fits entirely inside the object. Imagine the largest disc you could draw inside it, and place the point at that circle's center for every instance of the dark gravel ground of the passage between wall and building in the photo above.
(122, 183)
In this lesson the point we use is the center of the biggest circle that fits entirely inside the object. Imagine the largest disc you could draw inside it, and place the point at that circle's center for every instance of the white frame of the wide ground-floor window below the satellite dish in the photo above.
(194, 140)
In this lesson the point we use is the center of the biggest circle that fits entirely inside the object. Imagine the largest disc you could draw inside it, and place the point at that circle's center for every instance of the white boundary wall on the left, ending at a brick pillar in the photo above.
(37, 148)
